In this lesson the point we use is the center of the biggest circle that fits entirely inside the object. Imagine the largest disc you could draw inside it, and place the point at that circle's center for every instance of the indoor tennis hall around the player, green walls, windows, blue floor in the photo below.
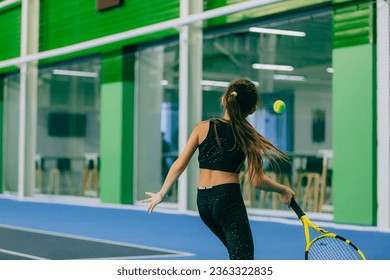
(99, 97)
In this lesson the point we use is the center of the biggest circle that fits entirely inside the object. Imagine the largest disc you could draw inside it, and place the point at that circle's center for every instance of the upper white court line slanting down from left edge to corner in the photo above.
(130, 245)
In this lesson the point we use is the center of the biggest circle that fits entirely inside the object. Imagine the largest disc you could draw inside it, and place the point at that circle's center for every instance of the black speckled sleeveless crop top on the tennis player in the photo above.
(215, 157)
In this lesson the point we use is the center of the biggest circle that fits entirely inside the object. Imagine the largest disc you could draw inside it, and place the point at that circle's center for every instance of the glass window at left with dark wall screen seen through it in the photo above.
(68, 129)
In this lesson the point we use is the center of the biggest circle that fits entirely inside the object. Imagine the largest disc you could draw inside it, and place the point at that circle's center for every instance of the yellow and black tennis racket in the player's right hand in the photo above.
(328, 245)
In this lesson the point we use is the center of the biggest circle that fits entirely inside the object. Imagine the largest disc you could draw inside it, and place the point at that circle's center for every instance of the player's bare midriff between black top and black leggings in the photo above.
(210, 178)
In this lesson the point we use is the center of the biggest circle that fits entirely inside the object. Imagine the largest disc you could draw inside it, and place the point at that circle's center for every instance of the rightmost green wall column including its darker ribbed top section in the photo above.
(354, 114)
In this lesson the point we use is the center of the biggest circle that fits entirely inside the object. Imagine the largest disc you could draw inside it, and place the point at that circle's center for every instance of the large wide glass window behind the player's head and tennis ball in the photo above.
(289, 59)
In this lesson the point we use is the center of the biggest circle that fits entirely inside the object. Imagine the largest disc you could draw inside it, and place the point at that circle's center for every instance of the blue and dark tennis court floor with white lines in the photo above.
(37, 230)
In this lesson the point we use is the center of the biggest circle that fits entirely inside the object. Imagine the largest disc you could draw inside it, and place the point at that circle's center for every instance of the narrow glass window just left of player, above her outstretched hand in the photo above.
(157, 117)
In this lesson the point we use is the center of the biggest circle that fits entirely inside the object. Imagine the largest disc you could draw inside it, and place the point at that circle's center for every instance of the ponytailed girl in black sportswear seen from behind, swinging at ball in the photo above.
(224, 144)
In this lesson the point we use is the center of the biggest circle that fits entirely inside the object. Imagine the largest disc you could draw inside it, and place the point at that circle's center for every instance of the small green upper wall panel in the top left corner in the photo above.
(10, 32)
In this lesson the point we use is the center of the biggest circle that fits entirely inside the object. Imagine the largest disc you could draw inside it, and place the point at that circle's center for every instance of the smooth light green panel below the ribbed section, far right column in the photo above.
(354, 135)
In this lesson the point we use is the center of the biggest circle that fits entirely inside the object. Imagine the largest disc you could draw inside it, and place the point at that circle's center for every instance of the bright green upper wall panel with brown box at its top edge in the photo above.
(69, 22)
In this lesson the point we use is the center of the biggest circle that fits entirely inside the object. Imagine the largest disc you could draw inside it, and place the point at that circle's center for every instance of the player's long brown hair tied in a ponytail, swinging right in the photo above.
(239, 100)
